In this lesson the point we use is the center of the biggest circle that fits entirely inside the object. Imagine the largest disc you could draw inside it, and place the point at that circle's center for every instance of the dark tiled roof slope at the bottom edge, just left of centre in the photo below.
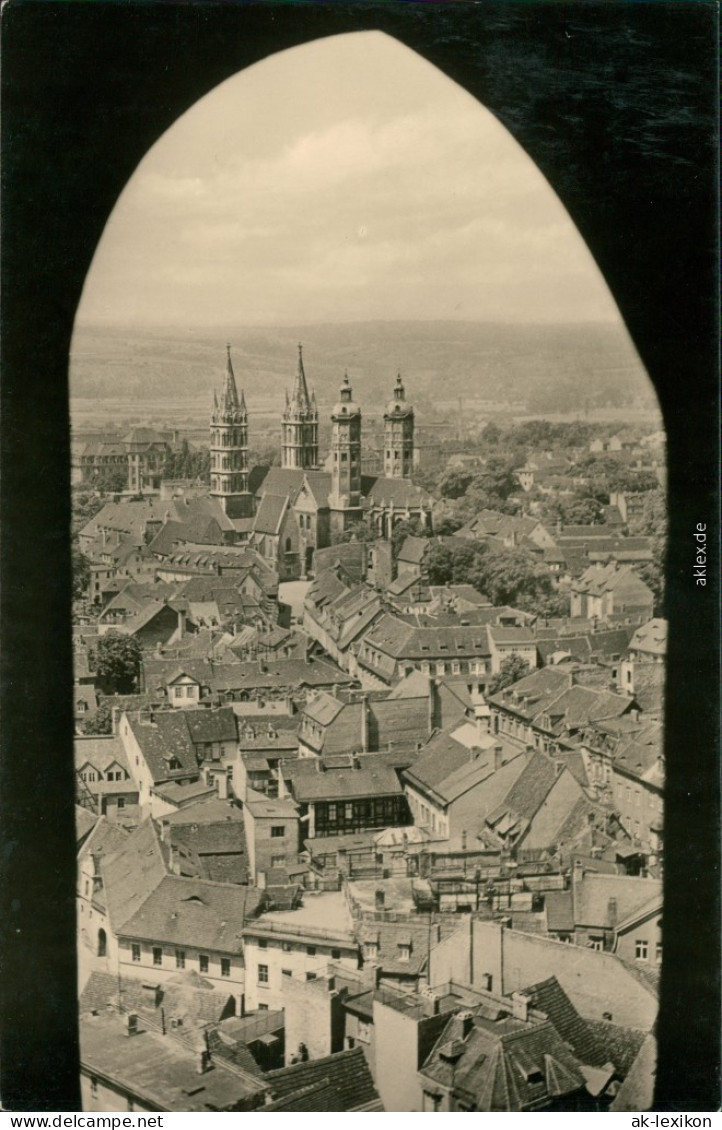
(334, 1084)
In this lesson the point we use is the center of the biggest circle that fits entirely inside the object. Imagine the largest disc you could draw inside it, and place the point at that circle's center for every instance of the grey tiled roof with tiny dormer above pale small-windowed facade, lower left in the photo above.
(195, 912)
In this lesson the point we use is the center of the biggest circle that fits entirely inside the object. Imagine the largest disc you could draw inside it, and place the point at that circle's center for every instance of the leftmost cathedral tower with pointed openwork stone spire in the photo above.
(230, 449)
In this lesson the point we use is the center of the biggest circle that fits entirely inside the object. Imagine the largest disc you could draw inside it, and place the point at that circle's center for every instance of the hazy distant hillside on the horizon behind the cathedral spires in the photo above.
(544, 368)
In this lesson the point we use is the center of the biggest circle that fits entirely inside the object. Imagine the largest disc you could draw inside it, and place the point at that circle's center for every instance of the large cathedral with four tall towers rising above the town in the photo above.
(288, 512)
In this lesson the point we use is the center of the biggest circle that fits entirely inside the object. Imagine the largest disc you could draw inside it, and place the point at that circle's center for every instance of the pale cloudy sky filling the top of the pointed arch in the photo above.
(341, 181)
